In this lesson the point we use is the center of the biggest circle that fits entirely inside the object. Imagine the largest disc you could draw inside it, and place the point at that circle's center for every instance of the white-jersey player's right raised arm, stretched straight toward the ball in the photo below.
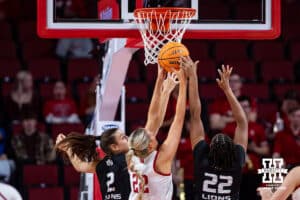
(168, 149)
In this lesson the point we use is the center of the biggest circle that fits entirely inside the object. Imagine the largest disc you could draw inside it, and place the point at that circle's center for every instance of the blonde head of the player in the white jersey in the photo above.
(141, 142)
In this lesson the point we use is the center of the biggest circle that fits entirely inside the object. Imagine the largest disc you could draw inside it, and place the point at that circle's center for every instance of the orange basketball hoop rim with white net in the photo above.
(159, 26)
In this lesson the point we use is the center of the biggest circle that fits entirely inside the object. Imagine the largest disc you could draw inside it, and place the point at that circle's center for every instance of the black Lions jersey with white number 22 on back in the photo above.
(217, 184)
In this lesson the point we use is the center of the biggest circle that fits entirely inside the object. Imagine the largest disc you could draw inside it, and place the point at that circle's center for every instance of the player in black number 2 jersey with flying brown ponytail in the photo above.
(112, 169)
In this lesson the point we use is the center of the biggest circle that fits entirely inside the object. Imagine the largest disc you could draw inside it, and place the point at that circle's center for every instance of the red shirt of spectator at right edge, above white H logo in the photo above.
(288, 146)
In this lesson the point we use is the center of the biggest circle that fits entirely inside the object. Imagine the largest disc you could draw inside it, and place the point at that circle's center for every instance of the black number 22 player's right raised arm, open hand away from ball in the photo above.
(241, 131)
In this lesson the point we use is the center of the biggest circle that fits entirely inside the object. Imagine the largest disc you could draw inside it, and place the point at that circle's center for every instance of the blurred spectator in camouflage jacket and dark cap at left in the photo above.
(32, 146)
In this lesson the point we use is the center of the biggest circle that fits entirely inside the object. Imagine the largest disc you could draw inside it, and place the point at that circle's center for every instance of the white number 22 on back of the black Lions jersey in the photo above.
(215, 184)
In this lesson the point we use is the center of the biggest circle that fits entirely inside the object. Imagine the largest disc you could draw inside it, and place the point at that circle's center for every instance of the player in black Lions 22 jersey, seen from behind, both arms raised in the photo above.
(218, 165)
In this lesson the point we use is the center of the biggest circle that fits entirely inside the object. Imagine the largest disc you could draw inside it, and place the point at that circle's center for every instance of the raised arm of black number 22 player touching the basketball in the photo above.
(196, 130)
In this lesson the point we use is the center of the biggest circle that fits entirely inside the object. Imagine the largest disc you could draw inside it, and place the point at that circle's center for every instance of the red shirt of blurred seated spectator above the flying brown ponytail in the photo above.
(60, 108)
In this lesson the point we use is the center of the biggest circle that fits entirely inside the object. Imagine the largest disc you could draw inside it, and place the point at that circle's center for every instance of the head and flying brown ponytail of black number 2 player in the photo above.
(112, 141)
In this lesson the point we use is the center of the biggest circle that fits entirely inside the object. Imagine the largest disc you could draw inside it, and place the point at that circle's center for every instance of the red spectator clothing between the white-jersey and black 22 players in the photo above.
(185, 155)
